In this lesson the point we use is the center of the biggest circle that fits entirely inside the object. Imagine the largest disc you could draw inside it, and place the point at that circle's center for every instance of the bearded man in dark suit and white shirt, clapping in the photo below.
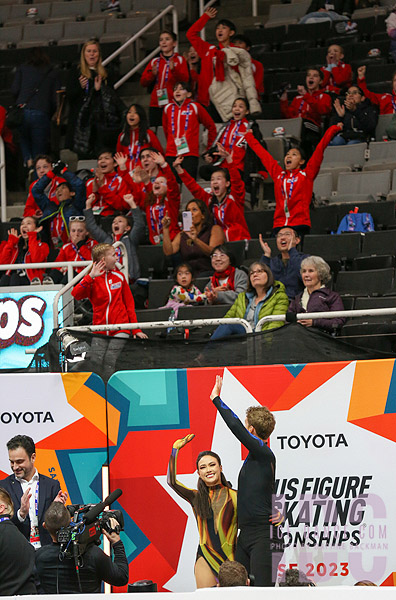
(31, 493)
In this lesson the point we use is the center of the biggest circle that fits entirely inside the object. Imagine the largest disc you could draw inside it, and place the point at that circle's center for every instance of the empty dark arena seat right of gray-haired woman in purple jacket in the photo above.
(369, 282)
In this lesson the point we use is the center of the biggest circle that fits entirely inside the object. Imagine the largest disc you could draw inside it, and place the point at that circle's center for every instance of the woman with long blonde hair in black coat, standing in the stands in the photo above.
(95, 111)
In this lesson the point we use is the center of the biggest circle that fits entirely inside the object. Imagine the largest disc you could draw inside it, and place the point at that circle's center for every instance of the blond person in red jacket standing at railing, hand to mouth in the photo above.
(109, 293)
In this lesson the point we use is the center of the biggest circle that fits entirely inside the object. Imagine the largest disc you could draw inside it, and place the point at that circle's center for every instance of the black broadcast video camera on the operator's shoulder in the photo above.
(82, 533)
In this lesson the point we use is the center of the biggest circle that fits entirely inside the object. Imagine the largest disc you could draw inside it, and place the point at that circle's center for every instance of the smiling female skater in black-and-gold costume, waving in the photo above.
(214, 506)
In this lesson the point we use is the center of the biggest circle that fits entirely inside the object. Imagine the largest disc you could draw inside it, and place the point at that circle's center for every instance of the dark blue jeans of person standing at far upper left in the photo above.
(35, 134)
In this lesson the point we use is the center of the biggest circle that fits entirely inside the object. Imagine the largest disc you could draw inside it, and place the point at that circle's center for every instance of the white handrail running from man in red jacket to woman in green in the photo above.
(158, 325)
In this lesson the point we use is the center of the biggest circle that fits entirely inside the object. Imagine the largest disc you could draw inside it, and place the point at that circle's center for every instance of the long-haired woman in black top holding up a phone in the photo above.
(197, 240)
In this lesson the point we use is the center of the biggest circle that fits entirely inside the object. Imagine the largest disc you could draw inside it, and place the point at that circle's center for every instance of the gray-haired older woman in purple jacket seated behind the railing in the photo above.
(316, 297)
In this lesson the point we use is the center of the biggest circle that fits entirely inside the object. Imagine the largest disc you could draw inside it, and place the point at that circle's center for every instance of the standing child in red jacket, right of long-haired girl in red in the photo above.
(181, 119)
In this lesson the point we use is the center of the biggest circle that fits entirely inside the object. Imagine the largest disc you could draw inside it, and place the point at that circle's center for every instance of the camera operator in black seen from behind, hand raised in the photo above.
(60, 576)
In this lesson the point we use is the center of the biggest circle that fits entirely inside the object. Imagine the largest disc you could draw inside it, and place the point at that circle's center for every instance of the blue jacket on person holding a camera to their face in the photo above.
(74, 206)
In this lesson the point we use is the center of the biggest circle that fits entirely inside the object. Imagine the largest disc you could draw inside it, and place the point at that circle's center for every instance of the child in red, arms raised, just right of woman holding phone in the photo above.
(227, 197)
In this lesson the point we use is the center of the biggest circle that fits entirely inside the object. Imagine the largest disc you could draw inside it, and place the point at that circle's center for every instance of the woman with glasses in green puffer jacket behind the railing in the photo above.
(264, 296)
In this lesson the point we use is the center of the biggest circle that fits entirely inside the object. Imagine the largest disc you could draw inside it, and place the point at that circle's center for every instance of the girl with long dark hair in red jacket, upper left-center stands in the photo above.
(136, 136)
